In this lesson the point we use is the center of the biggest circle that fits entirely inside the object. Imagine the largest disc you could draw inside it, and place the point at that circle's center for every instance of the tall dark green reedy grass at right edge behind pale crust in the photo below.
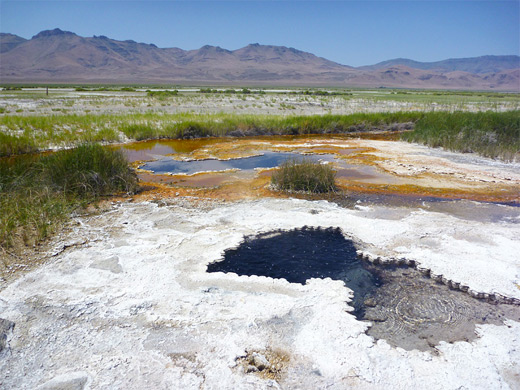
(490, 134)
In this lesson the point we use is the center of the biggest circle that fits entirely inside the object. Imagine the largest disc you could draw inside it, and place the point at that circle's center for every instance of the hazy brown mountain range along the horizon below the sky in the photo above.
(56, 56)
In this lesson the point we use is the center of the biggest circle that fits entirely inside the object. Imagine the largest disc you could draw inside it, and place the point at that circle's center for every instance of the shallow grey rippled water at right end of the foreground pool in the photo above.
(412, 311)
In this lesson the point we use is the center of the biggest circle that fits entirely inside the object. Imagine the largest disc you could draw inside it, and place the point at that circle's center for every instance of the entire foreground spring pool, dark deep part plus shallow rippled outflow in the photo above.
(405, 307)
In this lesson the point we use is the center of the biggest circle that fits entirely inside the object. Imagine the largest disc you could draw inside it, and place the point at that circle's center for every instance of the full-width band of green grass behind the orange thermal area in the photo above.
(491, 134)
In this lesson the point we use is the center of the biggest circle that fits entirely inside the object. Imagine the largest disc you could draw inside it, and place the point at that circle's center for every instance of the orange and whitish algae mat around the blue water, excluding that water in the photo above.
(375, 166)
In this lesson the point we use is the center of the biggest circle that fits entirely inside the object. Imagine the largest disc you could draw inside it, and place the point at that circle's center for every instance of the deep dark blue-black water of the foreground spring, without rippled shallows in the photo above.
(301, 254)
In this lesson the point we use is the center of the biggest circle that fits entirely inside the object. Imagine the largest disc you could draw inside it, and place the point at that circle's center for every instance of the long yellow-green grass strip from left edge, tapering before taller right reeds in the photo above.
(31, 133)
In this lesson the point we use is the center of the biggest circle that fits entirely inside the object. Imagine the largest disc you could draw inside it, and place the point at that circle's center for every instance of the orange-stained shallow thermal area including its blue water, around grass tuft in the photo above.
(228, 166)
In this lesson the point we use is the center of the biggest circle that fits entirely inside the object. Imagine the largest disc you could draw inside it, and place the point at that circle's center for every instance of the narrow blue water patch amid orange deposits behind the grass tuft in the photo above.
(267, 160)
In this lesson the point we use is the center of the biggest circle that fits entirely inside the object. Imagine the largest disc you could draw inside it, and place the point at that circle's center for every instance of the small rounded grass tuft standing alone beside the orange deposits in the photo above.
(304, 175)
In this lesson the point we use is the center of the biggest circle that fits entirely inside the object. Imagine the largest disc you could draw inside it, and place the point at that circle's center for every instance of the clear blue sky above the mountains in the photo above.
(349, 32)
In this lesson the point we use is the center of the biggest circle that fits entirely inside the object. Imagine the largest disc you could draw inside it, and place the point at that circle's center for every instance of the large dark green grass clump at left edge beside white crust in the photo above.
(38, 193)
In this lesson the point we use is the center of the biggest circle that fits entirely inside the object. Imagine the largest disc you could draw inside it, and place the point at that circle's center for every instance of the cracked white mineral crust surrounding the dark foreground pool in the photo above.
(133, 308)
